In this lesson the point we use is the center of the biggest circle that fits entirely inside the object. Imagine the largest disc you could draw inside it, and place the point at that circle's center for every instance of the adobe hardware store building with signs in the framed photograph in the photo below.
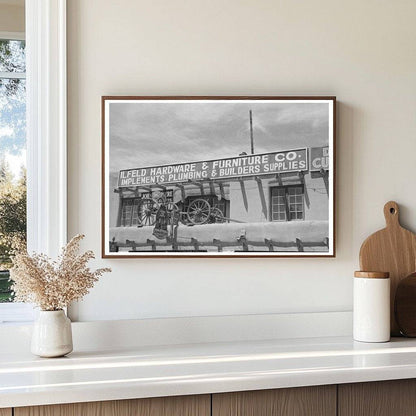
(275, 201)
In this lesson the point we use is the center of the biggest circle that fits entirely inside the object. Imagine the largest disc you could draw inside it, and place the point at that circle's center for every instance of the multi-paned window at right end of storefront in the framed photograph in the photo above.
(287, 203)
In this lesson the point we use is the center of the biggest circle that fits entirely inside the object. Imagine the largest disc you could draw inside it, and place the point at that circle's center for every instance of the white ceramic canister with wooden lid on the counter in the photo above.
(371, 307)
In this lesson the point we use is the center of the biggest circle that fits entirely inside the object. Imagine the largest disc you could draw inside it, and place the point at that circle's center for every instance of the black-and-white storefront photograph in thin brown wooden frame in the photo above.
(218, 176)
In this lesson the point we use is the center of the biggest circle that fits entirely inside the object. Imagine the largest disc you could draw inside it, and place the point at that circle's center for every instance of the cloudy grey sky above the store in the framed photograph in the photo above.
(148, 134)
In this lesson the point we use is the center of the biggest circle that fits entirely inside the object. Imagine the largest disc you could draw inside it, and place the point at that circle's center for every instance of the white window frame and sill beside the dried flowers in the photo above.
(46, 137)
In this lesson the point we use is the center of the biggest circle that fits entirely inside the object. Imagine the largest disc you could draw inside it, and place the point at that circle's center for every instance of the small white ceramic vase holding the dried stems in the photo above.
(52, 334)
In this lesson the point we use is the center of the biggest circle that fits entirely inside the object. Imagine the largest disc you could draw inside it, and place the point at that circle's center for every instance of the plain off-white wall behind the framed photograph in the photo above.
(361, 51)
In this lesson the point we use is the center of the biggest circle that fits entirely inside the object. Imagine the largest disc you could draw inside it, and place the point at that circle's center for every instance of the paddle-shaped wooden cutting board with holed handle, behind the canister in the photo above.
(393, 250)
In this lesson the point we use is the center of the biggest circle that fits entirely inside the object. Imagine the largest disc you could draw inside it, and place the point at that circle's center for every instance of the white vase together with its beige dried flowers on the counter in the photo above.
(52, 286)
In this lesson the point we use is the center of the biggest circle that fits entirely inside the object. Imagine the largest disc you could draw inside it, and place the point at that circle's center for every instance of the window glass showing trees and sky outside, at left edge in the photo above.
(12, 157)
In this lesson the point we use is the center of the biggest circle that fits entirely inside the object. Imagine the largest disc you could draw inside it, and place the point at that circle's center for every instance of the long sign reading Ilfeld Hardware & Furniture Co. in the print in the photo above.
(247, 165)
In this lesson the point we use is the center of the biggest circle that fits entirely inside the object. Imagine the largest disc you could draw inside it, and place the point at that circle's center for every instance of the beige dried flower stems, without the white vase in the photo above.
(53, 285)
